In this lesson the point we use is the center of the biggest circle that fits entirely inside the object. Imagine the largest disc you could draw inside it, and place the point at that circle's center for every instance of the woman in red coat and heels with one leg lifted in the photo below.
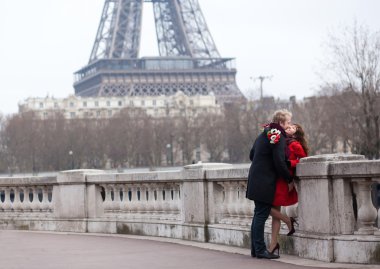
(297, 149)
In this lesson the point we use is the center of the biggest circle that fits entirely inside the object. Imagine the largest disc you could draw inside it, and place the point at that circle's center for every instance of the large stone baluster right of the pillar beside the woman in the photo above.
(366, 211)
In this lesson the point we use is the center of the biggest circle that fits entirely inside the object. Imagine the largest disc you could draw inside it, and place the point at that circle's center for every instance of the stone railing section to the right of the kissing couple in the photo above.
(336, 210)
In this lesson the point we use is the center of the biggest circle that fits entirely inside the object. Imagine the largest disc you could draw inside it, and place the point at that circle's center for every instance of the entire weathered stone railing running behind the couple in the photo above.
(205, 202)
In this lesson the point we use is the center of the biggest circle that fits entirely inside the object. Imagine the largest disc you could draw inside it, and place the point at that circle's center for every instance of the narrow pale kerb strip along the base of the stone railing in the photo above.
(289, 259)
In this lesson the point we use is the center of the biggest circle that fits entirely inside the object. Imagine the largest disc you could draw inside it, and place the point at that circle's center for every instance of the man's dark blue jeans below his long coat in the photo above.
(260, 215)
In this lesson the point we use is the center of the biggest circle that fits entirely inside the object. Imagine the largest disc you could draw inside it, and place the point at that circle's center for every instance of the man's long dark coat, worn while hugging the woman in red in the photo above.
(268, 164)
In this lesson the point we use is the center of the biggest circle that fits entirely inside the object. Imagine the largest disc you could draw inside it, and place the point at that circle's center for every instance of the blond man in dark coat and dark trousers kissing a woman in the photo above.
(268, 156)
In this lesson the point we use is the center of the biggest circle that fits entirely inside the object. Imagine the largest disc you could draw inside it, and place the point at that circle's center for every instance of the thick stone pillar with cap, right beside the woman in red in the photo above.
(325, 197)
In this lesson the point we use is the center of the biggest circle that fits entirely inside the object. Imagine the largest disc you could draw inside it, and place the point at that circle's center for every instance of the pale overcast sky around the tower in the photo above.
(43, 42)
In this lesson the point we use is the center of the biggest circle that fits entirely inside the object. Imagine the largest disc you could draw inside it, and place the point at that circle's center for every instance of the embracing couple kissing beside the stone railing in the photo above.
(274, 156)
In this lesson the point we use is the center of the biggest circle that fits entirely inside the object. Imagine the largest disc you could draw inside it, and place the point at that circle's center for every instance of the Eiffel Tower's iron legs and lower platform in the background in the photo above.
(189, 60)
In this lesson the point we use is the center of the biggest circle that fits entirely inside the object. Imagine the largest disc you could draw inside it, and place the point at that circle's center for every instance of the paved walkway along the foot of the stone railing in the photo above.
(21, 250)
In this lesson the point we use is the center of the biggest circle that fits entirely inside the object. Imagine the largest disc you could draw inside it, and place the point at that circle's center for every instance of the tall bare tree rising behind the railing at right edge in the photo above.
(355, 65)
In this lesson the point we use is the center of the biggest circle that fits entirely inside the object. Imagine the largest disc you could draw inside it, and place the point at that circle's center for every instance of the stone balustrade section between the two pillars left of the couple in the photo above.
(144, 199)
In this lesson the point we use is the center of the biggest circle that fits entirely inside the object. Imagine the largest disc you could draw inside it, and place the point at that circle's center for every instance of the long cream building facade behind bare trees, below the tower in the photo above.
(76, 107)
